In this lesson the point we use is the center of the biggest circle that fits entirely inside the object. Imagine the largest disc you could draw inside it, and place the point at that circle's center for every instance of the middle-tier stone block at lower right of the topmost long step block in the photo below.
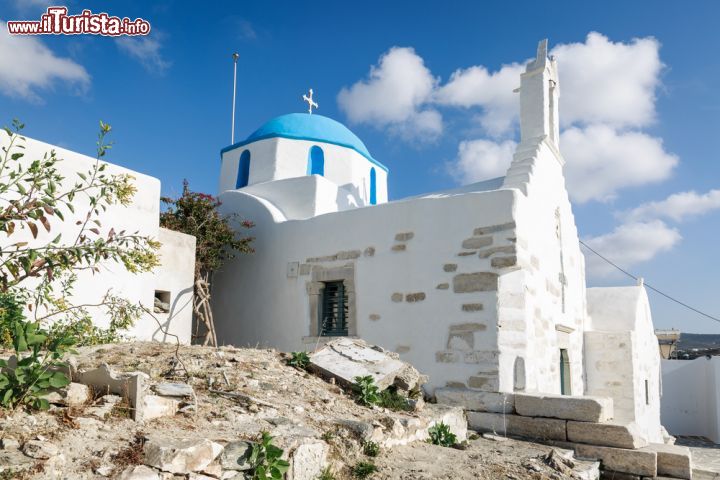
(606, 434)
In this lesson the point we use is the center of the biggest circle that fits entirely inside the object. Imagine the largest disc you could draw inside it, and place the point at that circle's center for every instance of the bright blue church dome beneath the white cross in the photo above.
(304, 126)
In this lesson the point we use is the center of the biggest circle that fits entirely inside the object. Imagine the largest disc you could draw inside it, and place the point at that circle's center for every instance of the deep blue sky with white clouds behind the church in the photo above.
(639, 103)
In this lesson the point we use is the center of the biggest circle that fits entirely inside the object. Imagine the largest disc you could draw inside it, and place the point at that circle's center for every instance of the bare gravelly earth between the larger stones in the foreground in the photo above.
(290, 402)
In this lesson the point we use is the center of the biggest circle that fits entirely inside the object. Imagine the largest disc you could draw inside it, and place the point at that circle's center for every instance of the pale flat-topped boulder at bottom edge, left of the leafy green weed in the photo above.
(180, 455)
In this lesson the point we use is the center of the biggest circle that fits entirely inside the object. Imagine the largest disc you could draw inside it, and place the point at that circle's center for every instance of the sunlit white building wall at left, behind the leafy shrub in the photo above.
(141, 216)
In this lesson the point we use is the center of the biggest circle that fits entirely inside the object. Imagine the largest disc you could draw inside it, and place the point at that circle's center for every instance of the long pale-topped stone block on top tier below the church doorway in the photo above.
(583, 409)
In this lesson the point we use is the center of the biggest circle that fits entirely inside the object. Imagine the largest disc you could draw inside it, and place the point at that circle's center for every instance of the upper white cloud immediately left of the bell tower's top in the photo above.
(476, 86)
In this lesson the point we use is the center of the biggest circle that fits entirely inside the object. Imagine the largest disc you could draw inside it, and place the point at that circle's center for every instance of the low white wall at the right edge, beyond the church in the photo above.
(691, 401)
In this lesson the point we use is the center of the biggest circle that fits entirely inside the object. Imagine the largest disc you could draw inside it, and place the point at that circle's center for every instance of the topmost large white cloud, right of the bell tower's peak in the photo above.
(608, 82)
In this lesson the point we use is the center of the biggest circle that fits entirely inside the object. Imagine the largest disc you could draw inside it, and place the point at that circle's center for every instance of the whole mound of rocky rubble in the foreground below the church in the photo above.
(220, 401)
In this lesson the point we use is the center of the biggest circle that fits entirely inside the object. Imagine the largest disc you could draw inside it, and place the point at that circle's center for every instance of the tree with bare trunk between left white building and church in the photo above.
(216, 242)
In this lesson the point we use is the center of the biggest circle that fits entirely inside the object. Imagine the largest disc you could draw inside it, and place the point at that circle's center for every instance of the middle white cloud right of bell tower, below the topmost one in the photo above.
(601, 161)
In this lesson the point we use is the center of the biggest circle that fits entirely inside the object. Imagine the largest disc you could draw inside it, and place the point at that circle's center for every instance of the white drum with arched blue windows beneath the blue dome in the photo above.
(281, 158)
